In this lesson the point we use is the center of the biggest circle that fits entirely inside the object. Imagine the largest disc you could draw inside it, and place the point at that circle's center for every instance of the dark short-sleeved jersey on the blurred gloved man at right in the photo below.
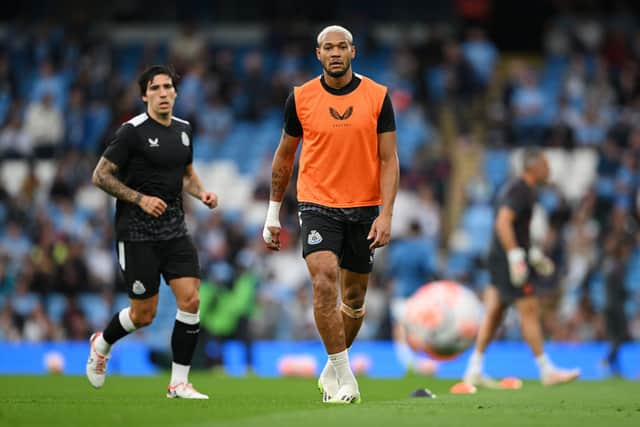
(521, 198)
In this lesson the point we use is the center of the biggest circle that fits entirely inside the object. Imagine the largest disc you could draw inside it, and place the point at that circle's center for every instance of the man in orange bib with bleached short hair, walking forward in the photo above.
(347, 183)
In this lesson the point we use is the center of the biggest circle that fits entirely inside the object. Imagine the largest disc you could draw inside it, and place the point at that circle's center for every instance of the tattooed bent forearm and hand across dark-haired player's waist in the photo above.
(105, 179)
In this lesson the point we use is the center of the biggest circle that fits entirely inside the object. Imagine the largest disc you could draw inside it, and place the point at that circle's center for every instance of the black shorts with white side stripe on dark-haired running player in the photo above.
(142, 263)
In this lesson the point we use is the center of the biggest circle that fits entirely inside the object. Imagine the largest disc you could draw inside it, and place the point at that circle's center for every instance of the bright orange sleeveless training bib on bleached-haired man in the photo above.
(339, 161)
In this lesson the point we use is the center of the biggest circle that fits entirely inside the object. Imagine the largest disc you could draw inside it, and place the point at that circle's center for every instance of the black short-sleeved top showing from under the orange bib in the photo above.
(293, 127)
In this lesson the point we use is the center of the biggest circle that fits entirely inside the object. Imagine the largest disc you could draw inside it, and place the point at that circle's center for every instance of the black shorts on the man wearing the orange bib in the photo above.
(348, 240)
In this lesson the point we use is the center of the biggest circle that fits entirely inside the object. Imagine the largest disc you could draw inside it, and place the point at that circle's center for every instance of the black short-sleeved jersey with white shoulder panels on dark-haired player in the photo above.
(151, 159)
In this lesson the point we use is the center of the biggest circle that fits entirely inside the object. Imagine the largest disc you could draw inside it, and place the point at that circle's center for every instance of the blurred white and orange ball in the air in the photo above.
(442, 319)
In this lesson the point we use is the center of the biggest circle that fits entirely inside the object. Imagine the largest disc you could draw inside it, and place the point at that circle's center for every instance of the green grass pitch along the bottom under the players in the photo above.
(140, 402)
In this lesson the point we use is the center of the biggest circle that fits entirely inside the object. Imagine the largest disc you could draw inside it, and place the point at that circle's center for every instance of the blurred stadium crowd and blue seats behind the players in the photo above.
(463, 108)
